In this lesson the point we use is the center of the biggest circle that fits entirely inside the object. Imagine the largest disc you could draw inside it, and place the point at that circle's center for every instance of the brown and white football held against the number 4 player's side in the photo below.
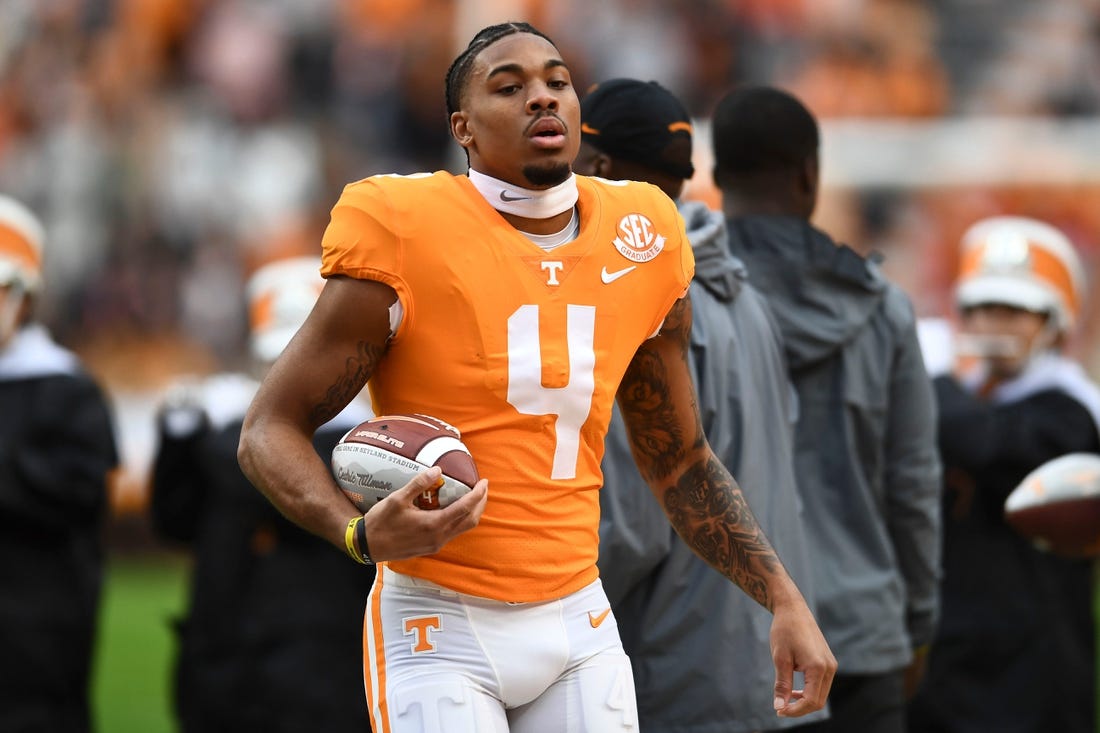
(383, 454)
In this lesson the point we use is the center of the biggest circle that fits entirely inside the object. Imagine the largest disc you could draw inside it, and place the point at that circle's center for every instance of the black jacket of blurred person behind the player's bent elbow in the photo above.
(273, 638)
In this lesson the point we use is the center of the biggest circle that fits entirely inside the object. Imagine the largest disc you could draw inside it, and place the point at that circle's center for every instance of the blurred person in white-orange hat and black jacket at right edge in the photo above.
(1017, 621)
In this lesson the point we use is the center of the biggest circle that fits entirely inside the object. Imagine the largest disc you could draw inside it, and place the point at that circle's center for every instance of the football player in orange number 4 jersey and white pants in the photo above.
(516, 303)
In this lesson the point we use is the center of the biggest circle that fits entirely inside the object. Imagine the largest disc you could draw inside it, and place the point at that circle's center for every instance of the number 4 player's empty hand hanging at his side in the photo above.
(798, 646)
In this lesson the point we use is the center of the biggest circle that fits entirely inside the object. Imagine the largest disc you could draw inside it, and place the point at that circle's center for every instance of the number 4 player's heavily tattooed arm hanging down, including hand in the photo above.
(708, 510)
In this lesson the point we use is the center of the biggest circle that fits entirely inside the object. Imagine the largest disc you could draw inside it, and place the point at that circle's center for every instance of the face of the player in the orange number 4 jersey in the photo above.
(521, 118)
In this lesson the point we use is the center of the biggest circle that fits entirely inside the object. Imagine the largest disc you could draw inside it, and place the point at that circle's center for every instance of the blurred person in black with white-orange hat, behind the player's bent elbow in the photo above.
(251, 655)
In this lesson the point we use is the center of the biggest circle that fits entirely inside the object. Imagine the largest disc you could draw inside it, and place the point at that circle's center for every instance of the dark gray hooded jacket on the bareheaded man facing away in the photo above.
(865, 444)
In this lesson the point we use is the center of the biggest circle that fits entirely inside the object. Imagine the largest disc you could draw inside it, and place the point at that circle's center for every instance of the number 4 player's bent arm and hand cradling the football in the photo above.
(326, 365)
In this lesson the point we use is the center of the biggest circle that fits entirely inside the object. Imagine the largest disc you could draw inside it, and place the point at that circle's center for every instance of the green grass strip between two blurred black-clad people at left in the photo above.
(133, 675)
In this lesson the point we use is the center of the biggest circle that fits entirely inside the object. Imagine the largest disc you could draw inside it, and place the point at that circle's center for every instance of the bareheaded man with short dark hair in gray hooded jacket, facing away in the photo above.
(866, 456)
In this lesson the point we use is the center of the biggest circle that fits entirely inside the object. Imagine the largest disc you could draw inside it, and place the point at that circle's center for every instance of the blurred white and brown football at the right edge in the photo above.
(1058, 506)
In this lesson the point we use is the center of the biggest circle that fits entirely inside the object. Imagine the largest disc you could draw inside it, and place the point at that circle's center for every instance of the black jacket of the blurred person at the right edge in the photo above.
(1016, 649)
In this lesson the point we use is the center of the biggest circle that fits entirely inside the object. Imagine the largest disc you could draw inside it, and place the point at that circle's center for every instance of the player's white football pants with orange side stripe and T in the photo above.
(437, 661)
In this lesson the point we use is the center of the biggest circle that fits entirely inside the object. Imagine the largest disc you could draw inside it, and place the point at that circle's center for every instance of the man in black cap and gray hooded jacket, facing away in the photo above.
(699, 648)
